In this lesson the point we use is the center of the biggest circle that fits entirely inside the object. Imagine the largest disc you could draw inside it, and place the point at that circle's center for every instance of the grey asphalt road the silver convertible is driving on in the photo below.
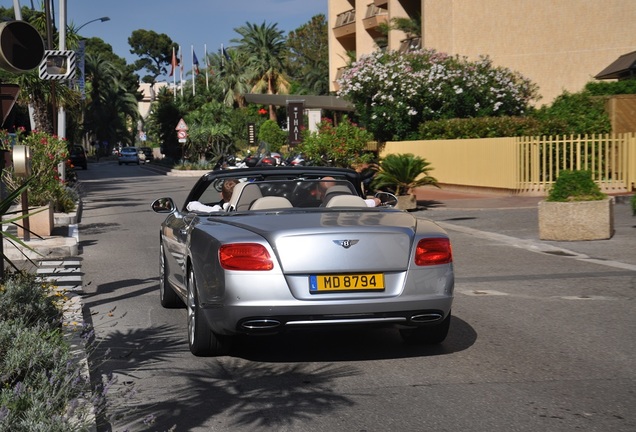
(539, 341)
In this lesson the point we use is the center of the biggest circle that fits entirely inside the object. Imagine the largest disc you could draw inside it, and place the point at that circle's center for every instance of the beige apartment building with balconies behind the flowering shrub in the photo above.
(558, 44)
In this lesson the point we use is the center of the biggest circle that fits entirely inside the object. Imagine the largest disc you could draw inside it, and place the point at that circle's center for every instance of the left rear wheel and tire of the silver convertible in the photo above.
(201, 339)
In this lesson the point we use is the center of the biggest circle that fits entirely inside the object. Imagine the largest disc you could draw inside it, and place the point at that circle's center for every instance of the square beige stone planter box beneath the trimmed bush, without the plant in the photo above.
(577, 220)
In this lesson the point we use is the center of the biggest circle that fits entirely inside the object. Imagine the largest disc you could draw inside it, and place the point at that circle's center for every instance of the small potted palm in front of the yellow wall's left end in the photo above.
(401, 174)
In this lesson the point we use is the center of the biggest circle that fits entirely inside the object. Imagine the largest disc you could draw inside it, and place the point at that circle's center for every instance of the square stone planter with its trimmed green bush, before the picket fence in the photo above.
(576, 209)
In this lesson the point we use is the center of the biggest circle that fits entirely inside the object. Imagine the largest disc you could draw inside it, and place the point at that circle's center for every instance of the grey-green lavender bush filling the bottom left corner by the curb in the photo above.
(41, 386)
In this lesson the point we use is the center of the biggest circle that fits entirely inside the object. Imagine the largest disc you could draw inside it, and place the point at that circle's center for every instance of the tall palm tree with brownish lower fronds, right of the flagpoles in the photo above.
(265, 49)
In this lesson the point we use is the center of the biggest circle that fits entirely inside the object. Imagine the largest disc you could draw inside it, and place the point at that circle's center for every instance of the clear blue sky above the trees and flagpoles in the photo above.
(187, 22)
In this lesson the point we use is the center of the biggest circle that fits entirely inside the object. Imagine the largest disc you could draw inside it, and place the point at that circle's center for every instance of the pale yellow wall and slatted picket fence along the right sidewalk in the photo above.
(527, 165)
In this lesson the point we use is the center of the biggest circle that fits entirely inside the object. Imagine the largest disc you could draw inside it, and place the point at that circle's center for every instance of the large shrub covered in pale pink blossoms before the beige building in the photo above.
(394, 92)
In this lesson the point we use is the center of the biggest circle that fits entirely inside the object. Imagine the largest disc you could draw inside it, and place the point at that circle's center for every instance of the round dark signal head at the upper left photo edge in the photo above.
(21, 47)
